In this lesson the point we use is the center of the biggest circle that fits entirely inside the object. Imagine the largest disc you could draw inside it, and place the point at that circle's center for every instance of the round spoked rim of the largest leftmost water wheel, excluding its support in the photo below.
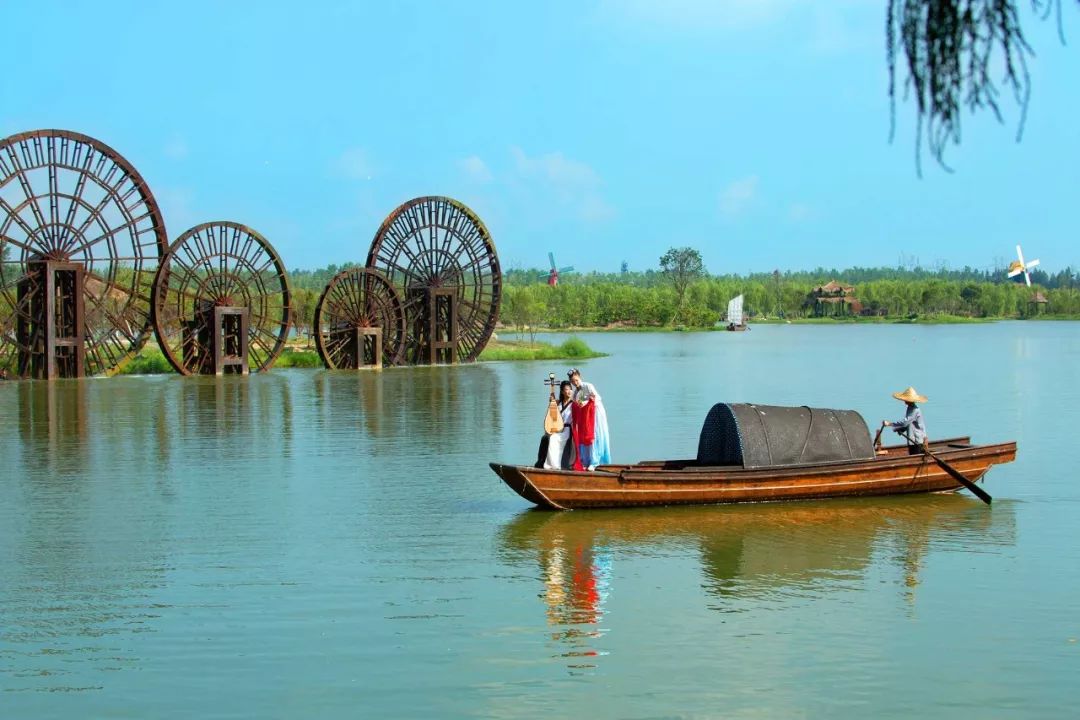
(69, 198)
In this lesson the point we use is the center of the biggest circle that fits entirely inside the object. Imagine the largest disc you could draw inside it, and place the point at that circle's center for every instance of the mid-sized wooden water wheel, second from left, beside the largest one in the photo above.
(222, 302)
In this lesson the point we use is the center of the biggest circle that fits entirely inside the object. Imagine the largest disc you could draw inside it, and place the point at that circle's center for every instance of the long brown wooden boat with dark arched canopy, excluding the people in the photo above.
(763, 454)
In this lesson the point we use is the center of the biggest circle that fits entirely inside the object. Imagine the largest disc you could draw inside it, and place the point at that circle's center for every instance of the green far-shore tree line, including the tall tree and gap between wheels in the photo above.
(683, 296)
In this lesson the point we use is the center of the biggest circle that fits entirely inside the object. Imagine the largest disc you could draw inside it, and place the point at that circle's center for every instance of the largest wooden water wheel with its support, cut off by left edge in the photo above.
(80, 240)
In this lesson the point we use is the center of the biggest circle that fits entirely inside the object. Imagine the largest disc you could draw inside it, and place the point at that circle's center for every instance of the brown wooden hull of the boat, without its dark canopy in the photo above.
(679, 483)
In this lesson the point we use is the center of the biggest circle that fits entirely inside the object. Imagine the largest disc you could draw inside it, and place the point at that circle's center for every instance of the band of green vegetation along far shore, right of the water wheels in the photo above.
(645, 302)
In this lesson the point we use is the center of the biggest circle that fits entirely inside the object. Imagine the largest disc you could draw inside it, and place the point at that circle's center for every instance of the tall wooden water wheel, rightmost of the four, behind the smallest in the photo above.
(441, 260)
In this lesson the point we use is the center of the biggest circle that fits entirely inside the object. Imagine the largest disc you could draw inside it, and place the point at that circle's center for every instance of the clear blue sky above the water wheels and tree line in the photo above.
(603, 130)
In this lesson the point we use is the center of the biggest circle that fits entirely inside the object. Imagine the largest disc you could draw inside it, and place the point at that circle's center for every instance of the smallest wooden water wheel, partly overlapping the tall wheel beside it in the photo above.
(360, 321)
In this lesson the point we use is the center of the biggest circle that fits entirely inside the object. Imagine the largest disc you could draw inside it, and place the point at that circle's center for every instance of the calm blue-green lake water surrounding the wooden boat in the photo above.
(318, 545)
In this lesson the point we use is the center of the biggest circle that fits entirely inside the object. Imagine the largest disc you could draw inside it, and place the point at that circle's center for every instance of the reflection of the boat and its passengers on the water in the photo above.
(751, 556)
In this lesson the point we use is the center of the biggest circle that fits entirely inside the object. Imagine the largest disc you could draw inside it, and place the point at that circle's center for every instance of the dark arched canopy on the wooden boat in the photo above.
(772, 437)
